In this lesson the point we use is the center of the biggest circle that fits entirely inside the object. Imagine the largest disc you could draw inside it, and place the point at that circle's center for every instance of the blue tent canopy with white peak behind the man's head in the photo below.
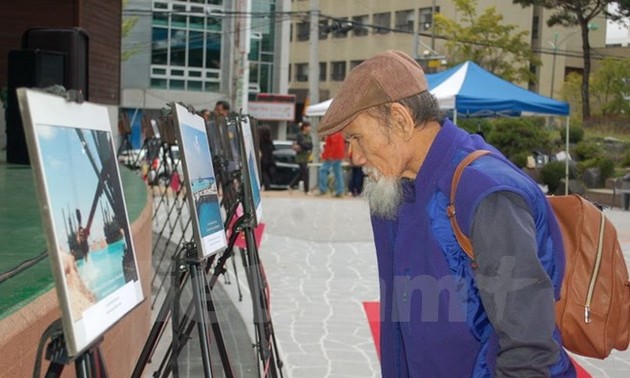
(471, 91)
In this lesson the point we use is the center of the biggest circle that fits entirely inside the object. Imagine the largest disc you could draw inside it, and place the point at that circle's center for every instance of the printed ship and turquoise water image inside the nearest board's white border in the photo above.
(89, 218)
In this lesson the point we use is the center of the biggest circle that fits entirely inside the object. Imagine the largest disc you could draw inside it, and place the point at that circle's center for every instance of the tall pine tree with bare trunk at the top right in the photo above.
(580, 13)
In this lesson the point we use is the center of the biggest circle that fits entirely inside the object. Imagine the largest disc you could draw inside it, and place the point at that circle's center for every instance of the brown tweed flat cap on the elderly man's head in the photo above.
(386, 77)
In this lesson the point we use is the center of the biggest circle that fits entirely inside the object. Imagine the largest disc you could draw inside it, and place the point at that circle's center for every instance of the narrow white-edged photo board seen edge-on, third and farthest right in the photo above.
(250, 174)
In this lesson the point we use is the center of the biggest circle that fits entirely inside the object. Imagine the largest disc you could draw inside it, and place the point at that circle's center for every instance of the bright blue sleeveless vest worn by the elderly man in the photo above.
(432, 321)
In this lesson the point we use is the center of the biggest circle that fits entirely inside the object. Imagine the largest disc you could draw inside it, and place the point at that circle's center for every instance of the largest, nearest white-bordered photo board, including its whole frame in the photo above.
(84, 214)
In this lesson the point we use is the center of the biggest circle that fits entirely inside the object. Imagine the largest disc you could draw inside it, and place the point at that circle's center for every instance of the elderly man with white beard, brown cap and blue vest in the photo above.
(442, 314)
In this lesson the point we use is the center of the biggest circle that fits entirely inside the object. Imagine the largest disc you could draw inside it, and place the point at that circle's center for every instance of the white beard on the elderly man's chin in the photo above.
(384, 194)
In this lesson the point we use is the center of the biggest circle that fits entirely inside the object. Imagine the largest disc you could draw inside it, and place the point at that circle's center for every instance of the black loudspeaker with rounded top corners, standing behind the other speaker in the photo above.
(73, 42)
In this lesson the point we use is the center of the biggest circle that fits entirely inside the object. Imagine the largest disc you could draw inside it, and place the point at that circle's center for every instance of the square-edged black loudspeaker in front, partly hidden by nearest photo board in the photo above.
(31, 69)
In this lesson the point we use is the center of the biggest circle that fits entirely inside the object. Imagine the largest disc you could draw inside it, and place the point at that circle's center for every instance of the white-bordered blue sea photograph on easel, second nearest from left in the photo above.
(201, 184)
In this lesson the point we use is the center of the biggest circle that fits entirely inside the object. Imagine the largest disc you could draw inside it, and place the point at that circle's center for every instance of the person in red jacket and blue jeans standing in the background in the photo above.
(332, 156)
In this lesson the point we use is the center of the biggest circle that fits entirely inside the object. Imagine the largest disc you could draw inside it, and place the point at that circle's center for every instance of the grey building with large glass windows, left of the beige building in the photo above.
(185, 50)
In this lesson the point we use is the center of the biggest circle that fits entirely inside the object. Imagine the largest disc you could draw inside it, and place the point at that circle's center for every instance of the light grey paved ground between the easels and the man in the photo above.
(320, 262)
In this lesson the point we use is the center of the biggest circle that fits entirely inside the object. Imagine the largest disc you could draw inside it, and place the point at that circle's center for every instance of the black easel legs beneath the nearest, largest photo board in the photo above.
(88, 364)
